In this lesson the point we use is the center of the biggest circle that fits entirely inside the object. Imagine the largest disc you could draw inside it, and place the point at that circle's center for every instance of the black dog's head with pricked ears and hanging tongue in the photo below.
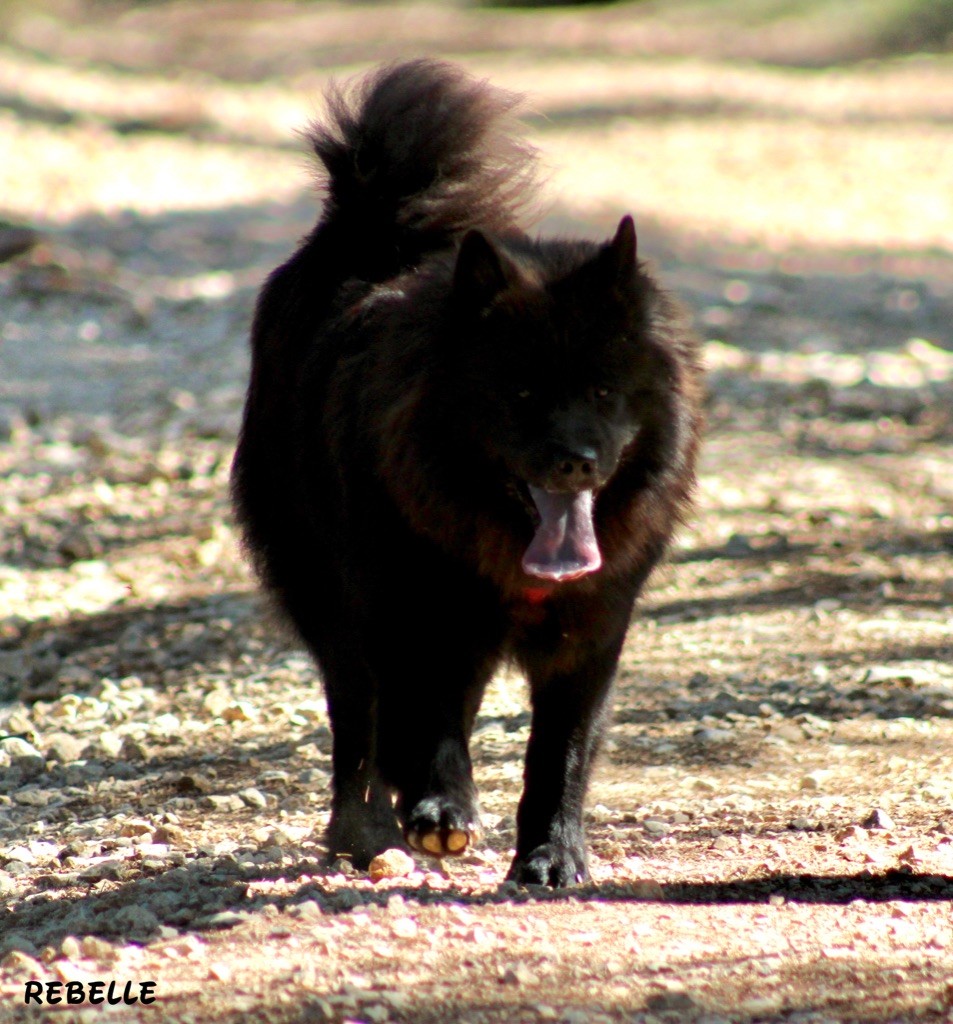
(560, 364)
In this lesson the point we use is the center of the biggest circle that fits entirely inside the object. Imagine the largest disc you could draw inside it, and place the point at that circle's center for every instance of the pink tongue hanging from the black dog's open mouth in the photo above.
(565, 546)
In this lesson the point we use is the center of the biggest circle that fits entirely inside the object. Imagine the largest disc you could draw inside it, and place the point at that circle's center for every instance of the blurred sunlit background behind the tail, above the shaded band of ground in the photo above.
(822, 123)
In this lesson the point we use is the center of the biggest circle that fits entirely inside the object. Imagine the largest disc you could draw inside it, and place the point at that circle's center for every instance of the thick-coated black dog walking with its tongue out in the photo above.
(461, 446)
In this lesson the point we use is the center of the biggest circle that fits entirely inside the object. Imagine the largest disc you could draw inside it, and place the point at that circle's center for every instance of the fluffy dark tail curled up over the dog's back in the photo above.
(417, 154)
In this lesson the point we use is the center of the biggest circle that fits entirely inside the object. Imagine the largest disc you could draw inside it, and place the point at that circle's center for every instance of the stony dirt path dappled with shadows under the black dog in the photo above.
(772, 823)
